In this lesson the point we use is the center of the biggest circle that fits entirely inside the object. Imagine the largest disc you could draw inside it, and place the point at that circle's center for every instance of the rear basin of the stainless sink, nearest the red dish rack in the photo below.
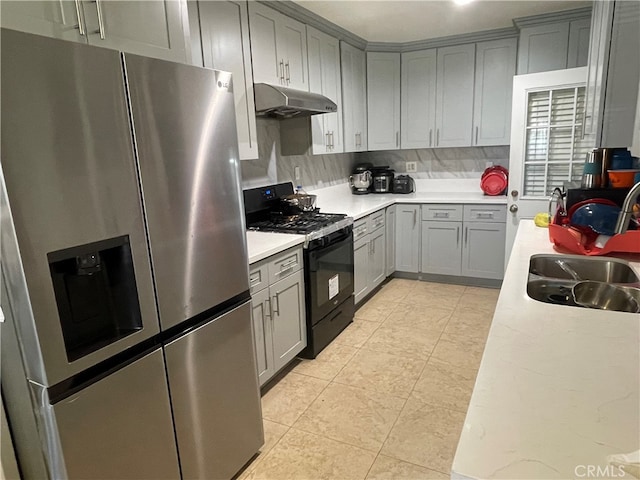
(576, 267)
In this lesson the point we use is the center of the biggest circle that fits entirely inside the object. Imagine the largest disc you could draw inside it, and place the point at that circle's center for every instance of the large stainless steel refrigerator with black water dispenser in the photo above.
(128, 350)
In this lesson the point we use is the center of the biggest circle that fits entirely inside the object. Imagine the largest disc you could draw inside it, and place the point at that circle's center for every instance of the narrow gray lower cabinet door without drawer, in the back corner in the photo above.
(407, 238)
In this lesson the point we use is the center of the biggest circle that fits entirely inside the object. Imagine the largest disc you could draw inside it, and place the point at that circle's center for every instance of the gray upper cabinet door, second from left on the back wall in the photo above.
(418, 99)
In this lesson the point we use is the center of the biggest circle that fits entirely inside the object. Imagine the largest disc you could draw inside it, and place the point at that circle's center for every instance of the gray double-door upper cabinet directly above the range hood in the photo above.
(278, 48)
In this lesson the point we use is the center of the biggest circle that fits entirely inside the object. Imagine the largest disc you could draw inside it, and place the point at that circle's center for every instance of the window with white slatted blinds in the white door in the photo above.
(555, 150)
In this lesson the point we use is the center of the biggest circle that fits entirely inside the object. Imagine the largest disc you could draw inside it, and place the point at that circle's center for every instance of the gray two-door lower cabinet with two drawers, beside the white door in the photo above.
(463, 241)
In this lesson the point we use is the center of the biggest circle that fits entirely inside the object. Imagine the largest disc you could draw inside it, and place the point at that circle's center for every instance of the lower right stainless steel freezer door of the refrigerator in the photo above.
(215, 396)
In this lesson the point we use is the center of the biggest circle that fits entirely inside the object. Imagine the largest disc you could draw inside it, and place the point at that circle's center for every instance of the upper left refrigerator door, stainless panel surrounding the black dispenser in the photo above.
(70, 173)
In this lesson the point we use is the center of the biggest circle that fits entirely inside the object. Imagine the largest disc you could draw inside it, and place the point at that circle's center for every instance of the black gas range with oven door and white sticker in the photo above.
(328, 260)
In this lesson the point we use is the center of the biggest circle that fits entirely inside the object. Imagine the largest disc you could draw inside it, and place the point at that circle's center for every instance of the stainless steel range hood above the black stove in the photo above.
(282, 102)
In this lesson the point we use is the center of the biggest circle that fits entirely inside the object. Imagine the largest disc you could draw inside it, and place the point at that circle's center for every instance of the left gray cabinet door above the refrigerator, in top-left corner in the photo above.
(53, 19)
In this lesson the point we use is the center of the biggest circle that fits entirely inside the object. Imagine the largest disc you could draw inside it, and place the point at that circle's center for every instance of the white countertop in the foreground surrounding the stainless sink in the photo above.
(558, 387)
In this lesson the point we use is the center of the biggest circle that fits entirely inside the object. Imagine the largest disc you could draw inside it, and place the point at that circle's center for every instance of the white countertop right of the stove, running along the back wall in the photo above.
(339, 199)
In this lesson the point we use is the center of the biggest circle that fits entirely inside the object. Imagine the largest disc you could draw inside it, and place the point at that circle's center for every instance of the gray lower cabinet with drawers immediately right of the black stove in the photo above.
(369, 247)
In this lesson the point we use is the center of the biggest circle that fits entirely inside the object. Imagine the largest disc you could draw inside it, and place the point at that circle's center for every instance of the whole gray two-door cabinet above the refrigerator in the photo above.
(154, 29)
